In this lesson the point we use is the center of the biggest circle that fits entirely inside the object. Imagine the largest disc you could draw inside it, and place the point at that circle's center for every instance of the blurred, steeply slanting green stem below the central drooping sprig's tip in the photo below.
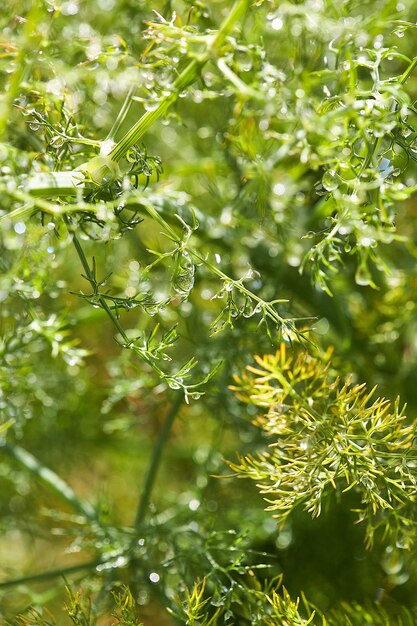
(156, 459)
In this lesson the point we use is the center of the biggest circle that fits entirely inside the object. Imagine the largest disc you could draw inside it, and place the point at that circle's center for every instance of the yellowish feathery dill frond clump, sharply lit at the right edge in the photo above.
(330, 436)
